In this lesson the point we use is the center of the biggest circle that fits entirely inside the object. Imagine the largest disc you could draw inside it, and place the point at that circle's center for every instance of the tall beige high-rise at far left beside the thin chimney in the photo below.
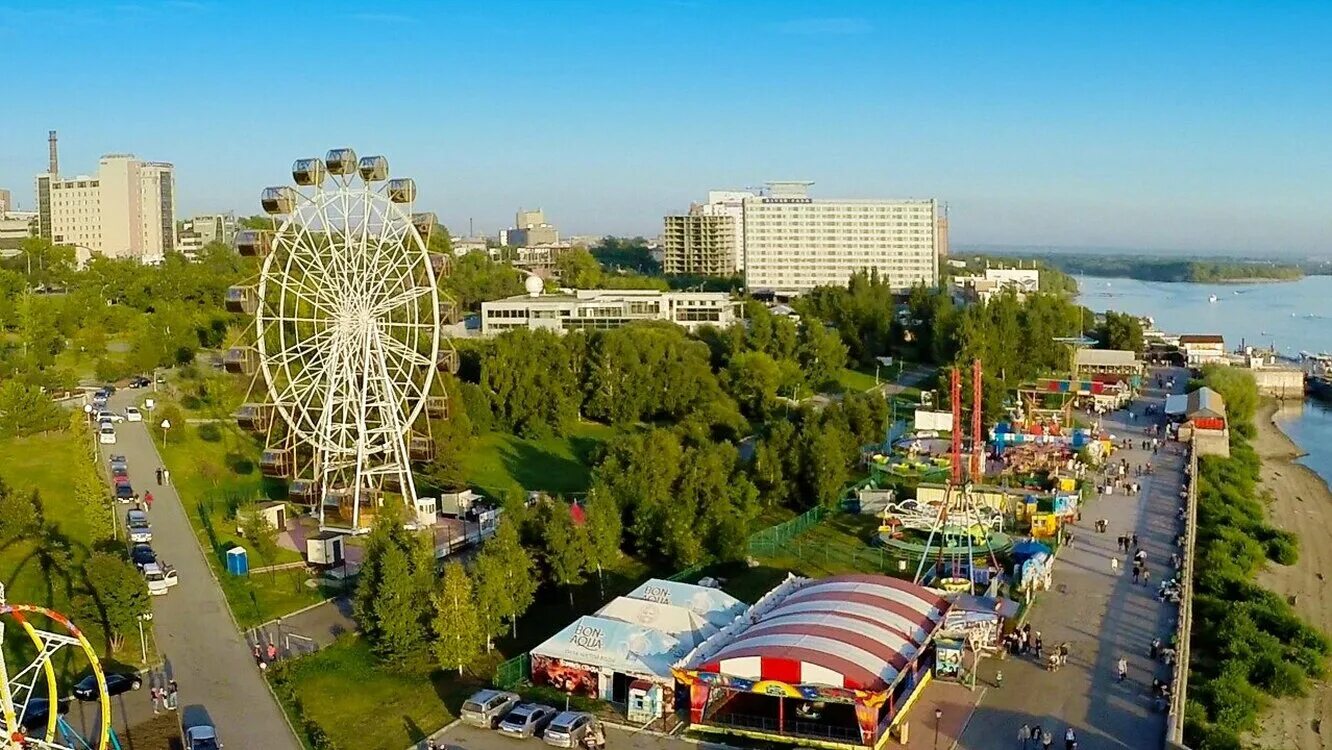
(127, 211)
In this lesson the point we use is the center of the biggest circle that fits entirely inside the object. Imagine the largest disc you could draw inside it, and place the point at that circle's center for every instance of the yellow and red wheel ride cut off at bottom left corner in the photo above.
(30, 703)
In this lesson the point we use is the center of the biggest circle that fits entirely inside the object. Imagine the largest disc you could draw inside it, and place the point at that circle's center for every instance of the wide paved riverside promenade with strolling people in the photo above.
(1105, 616)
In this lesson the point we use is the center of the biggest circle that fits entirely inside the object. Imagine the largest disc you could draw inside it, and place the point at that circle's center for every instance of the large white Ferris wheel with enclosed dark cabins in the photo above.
(347, 323)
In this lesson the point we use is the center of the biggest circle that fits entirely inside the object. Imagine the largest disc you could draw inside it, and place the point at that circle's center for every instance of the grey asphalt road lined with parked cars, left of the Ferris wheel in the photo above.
(196, 637)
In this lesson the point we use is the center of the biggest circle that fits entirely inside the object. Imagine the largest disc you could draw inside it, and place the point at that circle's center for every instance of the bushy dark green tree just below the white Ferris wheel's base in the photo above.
(392, 601)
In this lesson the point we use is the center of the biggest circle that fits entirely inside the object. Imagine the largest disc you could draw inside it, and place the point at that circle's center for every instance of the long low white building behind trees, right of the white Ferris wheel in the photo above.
(607, 308)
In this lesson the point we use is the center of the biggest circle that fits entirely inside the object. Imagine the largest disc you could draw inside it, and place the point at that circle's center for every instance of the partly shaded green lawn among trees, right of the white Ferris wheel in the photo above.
(501, 463)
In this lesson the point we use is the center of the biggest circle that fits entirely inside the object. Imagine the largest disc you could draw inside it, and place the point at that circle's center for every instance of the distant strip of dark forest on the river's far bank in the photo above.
(1148, 268)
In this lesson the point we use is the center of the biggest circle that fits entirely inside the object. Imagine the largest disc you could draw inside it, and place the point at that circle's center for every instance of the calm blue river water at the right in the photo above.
(1293, 316)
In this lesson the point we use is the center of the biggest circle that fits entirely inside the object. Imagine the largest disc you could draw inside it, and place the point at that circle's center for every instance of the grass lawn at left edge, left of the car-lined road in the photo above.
(42, 463)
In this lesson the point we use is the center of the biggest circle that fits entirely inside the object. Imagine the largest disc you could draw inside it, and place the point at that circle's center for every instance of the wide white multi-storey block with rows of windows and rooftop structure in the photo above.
(795, 243)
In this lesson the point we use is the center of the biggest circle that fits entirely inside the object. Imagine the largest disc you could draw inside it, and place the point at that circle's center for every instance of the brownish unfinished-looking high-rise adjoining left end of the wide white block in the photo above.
(711, 239)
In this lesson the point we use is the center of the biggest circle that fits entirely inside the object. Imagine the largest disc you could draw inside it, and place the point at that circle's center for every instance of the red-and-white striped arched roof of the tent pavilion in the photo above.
(856, 632)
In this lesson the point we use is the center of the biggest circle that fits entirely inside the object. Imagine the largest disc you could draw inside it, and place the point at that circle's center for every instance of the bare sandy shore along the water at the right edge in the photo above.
(1303, 504)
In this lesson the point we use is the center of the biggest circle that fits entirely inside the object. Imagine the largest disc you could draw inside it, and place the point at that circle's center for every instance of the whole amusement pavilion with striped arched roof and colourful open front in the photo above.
(832, 663)
